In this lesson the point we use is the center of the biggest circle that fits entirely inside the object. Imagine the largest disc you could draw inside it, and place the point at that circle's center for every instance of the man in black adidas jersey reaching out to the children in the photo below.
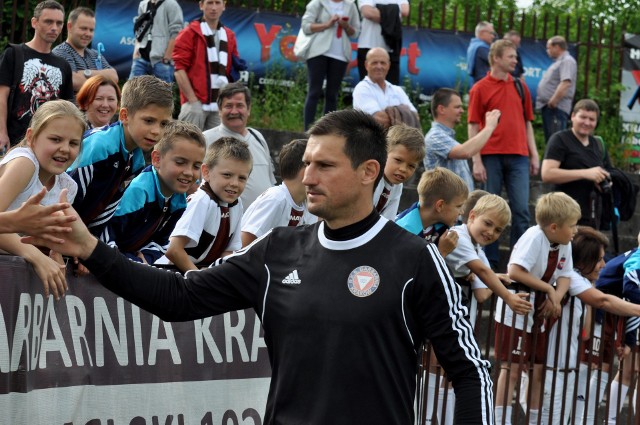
(345, 303)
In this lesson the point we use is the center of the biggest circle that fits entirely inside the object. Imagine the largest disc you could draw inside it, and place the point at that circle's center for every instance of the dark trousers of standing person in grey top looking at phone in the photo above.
(319, 68)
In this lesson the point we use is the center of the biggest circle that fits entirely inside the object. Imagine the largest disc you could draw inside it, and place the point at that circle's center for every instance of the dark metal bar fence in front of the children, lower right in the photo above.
(579, 349)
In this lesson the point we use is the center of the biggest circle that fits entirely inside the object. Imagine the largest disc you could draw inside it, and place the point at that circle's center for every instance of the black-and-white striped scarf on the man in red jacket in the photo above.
(218, 60)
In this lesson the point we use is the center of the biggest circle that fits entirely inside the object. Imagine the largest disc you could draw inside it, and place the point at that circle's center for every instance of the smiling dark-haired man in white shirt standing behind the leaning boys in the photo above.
(234, 104)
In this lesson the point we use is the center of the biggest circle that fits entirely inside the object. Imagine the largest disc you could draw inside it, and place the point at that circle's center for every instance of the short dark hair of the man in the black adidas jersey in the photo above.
(364, 137)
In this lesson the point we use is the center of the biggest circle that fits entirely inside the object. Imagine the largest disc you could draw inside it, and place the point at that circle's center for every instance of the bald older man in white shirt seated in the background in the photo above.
(374, 94)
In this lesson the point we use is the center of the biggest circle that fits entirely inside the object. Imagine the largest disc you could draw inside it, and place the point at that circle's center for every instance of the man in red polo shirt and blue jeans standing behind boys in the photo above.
(510, 155)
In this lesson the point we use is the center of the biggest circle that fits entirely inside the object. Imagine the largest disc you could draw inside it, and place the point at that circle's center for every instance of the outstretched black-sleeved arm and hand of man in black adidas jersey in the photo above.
(167, 294)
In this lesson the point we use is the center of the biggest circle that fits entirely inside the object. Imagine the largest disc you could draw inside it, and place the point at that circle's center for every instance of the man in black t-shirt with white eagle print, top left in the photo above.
(43, 75)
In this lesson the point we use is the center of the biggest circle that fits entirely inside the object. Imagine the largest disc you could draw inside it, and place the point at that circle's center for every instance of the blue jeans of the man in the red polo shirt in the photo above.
(512, 171)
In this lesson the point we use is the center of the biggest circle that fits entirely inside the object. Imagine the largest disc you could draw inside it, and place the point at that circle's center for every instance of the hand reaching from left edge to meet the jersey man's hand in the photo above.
(34, 219)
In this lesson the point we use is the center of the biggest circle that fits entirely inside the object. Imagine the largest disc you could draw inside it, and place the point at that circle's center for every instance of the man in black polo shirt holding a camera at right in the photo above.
(577, 162)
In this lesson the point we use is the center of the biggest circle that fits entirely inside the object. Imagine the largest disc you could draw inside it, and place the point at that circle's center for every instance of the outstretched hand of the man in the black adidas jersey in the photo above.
(78, 243)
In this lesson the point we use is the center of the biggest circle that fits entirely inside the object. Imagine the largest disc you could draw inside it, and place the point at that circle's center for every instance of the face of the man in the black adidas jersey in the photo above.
(331, 182)
